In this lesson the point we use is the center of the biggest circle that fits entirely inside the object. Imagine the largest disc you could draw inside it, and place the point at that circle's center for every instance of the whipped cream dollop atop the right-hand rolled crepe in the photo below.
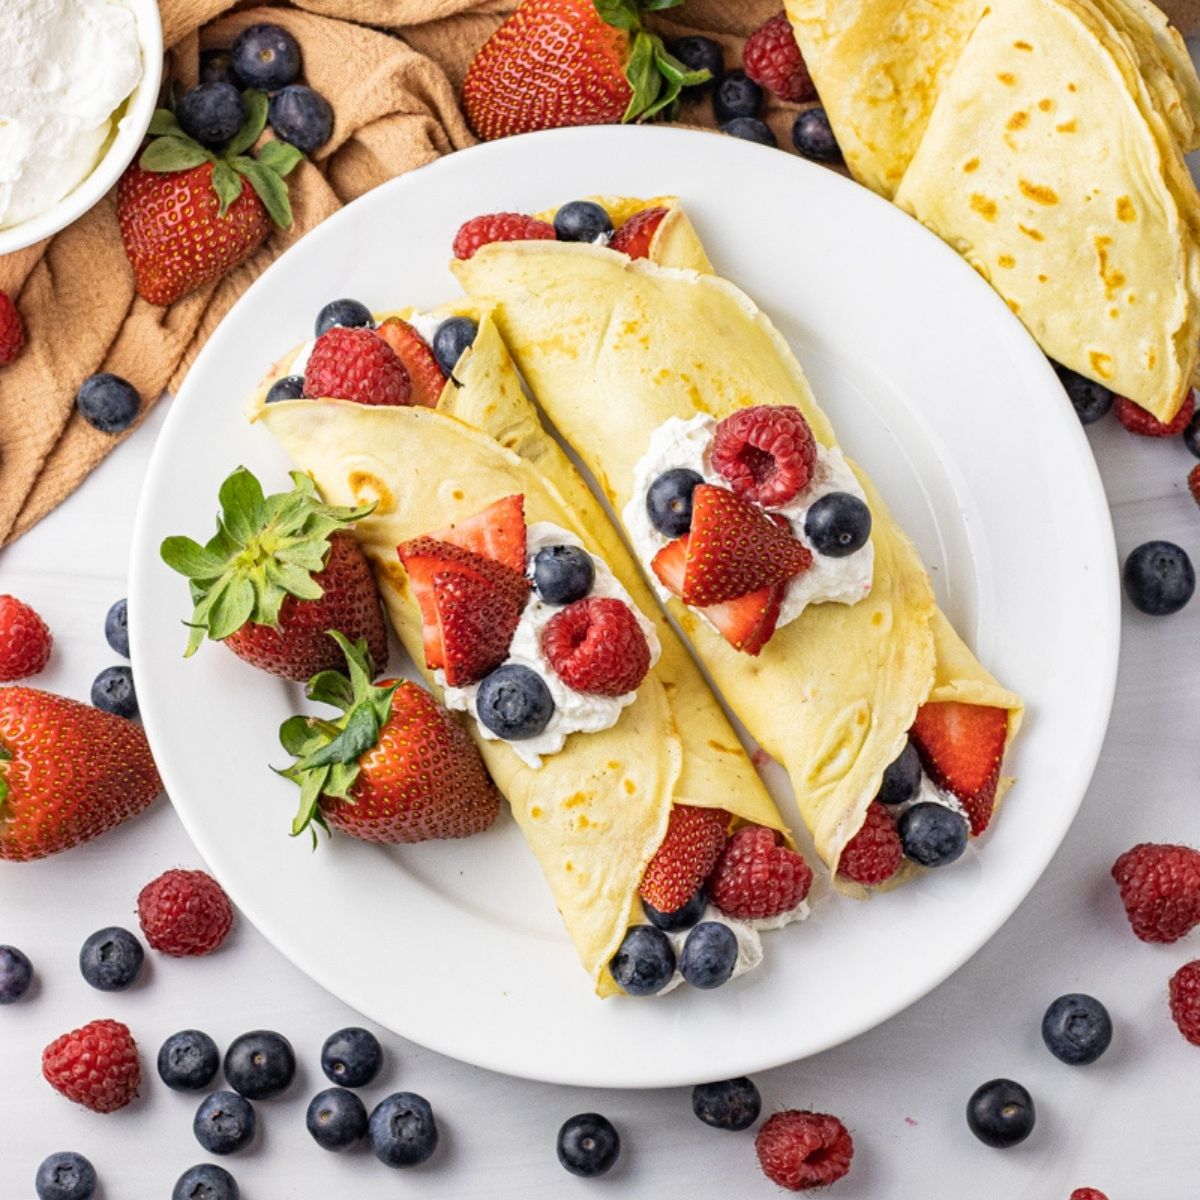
(686, 443)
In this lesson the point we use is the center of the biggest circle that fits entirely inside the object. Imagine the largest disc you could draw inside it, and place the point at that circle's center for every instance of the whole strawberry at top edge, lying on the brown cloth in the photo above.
(557, 63)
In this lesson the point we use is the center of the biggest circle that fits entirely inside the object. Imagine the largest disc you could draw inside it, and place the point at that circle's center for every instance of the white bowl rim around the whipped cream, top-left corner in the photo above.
(131, 130)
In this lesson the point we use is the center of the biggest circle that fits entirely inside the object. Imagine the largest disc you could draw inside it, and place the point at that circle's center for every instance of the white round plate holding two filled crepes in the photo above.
(933, 386)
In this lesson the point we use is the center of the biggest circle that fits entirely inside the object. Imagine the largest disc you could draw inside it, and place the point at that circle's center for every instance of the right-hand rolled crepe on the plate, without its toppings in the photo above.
(835, 693)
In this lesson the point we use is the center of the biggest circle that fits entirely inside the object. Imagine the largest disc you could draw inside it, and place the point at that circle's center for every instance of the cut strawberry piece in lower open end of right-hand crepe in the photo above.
(962, 746)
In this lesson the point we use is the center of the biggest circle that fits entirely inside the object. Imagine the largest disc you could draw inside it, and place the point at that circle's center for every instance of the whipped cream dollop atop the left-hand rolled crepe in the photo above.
(575, 712)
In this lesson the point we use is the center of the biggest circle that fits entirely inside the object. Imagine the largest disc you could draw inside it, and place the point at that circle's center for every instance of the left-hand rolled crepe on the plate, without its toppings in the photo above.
(596, 812)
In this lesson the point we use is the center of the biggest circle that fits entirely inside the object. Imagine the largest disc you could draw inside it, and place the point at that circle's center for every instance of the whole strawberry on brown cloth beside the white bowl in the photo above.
(185, 213)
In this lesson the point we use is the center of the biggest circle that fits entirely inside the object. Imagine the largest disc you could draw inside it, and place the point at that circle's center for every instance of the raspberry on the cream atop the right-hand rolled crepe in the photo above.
(767, 453)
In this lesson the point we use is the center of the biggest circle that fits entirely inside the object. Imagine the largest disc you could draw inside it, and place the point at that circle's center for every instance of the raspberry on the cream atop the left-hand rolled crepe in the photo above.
(597, 645)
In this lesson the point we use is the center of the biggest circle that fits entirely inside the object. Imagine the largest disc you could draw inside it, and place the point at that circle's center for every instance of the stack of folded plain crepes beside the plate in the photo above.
(1045, 141)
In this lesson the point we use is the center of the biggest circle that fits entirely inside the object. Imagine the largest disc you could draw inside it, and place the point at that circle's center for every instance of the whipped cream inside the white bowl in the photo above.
(69, 65)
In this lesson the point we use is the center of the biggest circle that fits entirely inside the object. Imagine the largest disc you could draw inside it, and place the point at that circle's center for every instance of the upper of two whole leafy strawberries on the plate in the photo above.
(280, 573)
